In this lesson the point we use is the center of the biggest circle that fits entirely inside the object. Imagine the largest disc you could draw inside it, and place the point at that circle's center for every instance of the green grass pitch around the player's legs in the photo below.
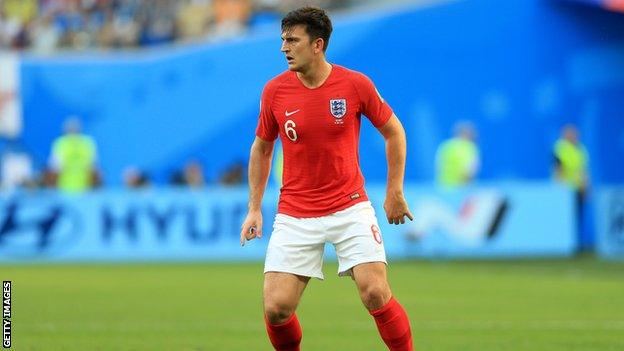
(544, 305)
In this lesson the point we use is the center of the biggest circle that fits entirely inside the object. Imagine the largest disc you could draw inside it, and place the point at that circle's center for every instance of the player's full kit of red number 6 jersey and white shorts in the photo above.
(322, 180)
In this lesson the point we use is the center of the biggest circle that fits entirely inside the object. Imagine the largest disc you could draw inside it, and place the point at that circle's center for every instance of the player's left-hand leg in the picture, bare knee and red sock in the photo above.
(282, 292)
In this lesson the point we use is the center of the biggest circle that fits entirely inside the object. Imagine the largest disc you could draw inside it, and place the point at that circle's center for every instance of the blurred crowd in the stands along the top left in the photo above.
(46, 26)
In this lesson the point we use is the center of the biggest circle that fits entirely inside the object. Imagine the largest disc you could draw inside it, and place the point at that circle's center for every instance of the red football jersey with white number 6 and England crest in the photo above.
(320, 129)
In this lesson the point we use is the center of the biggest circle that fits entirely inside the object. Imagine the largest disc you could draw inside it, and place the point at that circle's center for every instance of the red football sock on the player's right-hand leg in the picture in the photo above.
(393, 326)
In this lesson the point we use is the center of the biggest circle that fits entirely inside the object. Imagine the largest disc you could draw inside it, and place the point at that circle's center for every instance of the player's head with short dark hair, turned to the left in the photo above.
(305, 36)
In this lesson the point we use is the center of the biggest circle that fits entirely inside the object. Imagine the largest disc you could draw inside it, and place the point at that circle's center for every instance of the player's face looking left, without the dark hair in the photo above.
(300, 51)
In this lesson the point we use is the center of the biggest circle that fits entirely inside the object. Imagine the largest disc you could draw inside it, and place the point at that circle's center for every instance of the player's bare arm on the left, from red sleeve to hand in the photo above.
(259, 169)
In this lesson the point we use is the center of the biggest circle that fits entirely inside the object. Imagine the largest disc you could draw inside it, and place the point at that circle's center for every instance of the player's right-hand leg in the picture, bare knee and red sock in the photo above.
(390, 317)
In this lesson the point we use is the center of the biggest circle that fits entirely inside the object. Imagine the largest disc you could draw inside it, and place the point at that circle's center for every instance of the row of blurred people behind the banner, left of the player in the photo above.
(73, 167)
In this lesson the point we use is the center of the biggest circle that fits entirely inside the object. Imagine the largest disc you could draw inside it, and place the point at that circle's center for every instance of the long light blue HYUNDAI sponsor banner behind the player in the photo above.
(169, 225)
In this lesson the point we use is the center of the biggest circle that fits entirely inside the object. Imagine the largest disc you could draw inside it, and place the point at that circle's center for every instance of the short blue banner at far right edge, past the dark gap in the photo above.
(610, 223)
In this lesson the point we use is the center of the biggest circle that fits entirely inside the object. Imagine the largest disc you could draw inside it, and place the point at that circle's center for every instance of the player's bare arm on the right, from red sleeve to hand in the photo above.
(395, 205)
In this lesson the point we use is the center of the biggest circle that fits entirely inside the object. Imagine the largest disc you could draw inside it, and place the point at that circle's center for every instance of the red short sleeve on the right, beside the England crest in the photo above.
(372, 104)
